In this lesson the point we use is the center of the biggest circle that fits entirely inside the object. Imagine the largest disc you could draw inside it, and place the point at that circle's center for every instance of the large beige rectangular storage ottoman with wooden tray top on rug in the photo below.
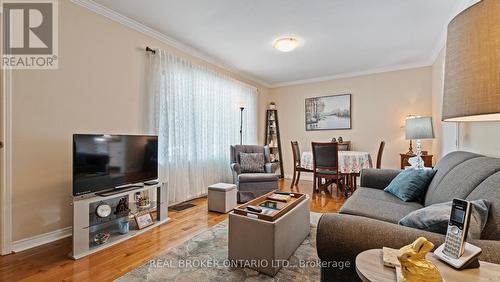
(264, 243)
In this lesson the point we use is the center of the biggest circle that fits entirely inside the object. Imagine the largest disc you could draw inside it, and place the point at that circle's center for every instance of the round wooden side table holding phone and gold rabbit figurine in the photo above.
(370, 268)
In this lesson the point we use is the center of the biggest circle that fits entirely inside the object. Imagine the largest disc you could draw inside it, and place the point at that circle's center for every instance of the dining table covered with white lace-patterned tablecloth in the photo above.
(350, 162)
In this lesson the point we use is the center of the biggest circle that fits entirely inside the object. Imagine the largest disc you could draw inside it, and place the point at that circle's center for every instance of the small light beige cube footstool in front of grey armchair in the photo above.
(221, 197)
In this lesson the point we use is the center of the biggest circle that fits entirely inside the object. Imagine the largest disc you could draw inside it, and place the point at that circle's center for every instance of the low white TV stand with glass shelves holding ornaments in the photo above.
(84, 230)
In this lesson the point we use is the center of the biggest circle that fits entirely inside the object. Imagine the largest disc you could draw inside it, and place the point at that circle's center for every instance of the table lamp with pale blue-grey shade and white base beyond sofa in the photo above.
(419, 128)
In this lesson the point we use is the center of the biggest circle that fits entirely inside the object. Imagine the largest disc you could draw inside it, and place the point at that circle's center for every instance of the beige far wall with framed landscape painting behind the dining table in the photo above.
(380, 104)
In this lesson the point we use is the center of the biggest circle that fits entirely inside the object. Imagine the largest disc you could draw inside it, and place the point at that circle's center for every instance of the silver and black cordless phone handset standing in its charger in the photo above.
(458, 226)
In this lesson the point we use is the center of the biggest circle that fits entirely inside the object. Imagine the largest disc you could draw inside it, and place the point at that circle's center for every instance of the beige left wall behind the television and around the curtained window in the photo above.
(98, 87)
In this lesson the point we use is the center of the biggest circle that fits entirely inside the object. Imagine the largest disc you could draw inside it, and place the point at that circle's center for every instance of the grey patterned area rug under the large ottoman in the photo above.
(204, 258)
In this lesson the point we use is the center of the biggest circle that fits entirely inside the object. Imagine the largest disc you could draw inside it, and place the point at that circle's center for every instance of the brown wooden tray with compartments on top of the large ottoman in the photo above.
(284, 207)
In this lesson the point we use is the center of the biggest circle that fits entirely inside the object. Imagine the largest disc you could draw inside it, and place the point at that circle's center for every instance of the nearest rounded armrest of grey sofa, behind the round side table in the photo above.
(341, 237)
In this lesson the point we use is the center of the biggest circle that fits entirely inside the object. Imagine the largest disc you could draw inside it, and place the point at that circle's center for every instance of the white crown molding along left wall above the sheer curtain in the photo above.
(115, 16)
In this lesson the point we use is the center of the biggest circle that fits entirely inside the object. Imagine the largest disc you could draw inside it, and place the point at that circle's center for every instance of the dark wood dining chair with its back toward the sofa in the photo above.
(326, 165)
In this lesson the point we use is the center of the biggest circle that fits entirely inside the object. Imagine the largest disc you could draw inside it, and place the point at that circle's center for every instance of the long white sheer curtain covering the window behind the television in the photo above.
(196, 114)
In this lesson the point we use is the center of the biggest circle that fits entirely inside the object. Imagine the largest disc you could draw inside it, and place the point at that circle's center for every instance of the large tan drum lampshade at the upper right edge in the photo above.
(472, 79)
